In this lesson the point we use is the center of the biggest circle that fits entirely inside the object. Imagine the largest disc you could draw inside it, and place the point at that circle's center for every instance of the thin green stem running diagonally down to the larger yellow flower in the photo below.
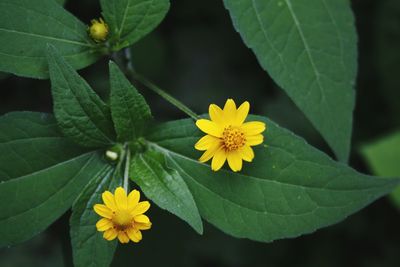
(150, 85)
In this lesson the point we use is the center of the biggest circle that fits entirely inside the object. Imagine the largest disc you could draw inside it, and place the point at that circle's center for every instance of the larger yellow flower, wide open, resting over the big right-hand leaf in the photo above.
(228, 136)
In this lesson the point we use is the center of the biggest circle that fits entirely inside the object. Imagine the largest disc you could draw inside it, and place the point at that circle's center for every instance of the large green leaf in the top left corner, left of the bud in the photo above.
(26, 27)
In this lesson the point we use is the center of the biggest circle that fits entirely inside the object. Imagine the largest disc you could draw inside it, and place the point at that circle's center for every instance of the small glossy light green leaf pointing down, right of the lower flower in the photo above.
(165, 187)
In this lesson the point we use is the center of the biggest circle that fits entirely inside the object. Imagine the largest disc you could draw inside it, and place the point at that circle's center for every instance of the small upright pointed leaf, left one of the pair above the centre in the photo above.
(81, 114)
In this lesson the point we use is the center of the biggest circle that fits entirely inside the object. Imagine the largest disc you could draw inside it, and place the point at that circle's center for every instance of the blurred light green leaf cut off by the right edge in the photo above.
(383, 158)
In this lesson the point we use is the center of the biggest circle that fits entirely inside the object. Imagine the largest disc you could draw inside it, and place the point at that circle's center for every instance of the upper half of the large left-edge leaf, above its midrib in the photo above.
(30, 142)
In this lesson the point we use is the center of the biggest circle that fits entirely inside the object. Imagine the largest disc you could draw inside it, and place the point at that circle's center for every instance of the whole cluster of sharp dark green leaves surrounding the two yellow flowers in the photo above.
(50, 163)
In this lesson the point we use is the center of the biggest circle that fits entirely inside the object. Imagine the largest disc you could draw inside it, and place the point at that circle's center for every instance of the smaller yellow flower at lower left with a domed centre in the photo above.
(122, 216)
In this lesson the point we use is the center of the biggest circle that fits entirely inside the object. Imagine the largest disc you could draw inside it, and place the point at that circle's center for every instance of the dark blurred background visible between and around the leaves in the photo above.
(197, 56)
